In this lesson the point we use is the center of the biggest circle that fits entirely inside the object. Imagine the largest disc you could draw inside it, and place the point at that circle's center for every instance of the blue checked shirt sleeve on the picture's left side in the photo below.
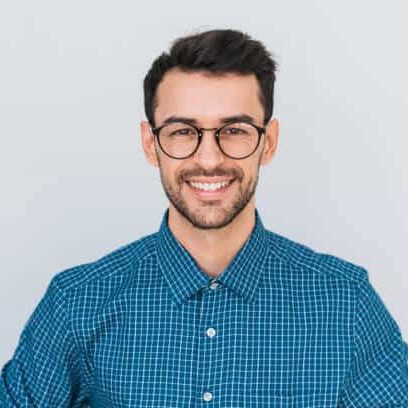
(45, 370)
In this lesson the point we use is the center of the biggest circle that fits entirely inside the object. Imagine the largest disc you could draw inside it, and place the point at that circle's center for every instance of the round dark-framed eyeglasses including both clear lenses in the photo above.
(180, 140)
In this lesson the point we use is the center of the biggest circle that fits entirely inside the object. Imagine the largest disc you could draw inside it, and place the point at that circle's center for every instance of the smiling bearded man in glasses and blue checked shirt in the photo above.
(213, 309)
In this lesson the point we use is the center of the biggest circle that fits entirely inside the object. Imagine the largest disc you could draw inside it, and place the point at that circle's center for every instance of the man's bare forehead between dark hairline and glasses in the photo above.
(206, 96)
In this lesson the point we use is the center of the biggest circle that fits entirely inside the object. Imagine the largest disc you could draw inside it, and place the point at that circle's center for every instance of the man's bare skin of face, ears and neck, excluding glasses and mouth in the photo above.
(212, 230)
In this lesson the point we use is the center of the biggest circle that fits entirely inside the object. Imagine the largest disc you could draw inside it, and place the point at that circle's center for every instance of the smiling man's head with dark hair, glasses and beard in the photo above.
(209, 80)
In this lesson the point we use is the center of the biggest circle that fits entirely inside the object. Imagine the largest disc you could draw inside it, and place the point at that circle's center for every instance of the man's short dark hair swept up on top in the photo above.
(216, 52)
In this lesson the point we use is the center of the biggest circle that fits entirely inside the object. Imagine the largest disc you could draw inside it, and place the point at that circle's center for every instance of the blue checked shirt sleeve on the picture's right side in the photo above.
(378, 375)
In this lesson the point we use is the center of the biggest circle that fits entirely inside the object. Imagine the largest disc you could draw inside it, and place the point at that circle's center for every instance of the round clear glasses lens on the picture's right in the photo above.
(238, 139)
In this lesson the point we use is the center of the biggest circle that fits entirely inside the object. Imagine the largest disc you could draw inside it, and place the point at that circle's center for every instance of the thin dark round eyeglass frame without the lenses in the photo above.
(156, 132)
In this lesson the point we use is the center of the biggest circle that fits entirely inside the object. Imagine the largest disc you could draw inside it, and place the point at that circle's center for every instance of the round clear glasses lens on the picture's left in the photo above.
(178, 139)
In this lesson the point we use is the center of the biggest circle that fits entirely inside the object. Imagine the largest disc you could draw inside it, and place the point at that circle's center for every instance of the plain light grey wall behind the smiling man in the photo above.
(75, 184)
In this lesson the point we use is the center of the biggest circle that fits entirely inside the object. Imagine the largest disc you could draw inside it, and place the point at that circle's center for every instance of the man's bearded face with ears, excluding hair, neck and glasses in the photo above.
(208, 99)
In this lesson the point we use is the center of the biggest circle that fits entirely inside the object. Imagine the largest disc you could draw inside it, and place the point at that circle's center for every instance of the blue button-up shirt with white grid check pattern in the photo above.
(282, 326)
